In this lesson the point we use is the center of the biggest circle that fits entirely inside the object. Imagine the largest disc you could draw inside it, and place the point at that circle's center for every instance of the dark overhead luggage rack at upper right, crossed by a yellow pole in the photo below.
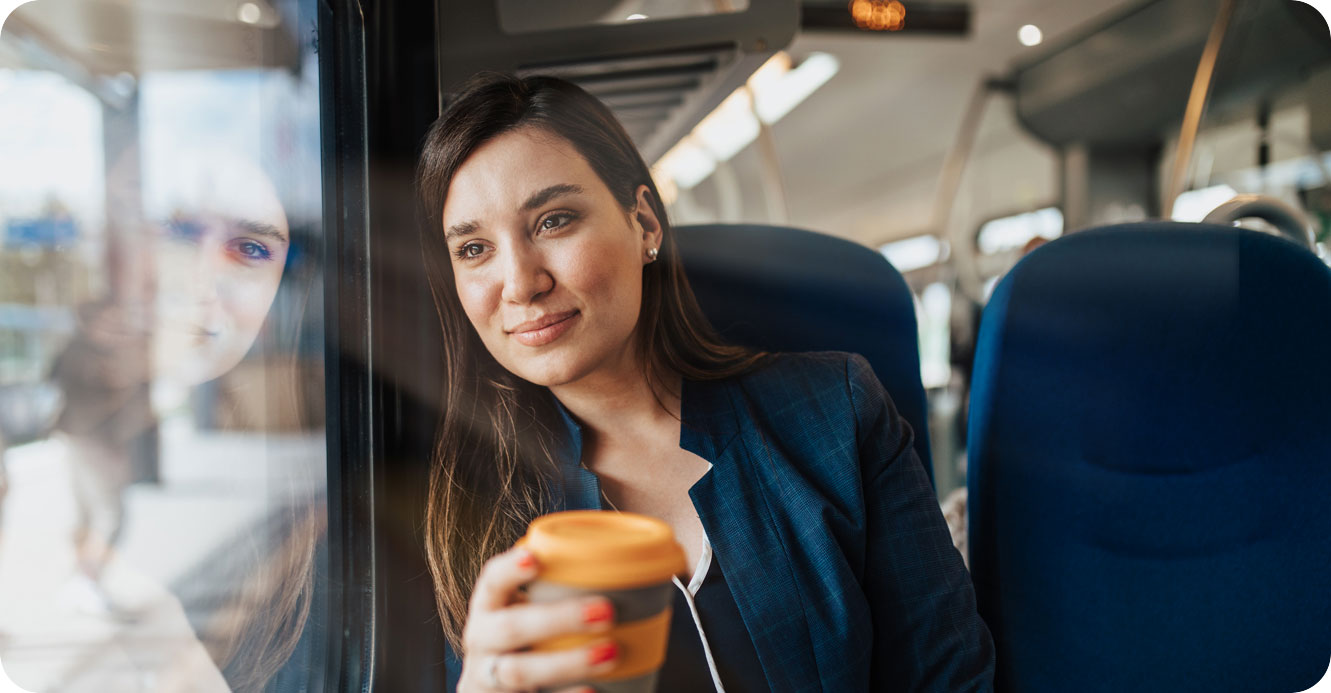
(1128, 80)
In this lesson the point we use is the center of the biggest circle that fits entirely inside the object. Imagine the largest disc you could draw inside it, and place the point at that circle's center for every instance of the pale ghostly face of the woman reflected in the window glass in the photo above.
(219, 261)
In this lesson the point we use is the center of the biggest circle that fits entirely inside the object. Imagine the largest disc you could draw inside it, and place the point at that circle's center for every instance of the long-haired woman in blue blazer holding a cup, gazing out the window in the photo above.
(582, 374)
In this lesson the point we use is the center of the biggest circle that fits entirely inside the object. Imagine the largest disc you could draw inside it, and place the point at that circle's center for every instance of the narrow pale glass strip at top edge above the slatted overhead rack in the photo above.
(524, 17)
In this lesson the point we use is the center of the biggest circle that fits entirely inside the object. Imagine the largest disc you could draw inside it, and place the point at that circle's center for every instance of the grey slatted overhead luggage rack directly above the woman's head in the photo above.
(660, 78)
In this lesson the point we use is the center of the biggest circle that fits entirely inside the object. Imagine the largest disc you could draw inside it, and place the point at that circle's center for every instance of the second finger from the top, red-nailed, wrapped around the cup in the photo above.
(526, 624)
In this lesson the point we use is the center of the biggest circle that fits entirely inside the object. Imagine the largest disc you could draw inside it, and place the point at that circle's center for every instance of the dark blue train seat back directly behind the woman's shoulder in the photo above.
(783, 289)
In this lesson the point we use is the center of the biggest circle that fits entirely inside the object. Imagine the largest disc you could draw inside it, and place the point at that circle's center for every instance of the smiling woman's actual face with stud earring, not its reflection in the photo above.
(549, 267)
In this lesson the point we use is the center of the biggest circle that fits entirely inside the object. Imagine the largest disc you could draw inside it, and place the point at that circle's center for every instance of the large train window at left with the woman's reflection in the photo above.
(162, 348)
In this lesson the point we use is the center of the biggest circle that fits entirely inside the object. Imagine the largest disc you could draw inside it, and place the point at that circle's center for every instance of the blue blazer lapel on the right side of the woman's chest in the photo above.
(735, 502)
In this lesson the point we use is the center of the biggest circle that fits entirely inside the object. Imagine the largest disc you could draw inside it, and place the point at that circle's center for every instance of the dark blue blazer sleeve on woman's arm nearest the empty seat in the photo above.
(927, 632)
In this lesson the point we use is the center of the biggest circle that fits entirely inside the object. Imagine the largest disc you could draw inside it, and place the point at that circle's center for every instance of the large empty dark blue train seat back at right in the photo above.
(1151, 464)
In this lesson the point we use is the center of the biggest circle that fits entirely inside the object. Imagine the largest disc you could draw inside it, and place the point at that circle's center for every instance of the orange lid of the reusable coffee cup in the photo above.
(604, 550)
